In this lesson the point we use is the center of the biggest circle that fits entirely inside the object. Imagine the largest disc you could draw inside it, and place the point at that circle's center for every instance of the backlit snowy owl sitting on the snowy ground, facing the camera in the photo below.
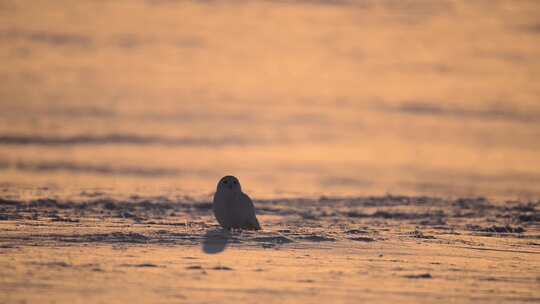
(232, 207)
